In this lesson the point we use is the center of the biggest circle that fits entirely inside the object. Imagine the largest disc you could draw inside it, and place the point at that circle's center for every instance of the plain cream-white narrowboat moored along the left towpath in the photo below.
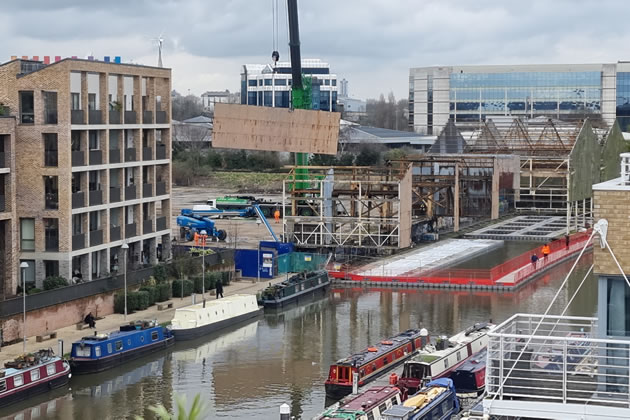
(206, 317)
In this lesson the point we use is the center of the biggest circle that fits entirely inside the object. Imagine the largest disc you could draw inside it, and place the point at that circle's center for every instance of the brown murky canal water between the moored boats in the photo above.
(250, 370)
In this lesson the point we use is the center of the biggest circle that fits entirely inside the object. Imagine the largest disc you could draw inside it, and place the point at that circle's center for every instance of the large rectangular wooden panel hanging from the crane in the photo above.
(275, 129)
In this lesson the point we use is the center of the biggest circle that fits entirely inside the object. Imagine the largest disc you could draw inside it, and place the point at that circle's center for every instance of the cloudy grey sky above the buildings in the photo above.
(371, 43)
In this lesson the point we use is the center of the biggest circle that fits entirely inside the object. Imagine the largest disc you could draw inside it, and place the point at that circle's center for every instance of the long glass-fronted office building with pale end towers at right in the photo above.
(471, 94)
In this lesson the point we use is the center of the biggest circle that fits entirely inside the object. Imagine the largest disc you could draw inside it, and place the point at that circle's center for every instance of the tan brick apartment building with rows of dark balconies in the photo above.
(84, 167)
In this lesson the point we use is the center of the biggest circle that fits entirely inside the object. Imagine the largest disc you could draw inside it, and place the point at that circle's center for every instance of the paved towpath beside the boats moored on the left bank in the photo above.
(114, 321)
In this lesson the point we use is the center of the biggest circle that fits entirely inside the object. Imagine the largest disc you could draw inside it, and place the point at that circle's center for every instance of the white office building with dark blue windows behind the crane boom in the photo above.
(266, 85)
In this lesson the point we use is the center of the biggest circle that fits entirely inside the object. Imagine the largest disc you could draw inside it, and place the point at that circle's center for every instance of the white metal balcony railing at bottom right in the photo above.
(562, 362)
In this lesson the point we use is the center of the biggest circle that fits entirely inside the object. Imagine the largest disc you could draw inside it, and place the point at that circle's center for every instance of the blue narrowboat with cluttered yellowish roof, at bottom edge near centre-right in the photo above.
(437, 400)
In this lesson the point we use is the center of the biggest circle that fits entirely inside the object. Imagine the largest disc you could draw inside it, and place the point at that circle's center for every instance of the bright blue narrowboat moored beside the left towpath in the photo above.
(103, 351)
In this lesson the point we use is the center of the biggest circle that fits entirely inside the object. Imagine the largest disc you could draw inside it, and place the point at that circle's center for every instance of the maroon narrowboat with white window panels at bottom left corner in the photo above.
(32, 374)
